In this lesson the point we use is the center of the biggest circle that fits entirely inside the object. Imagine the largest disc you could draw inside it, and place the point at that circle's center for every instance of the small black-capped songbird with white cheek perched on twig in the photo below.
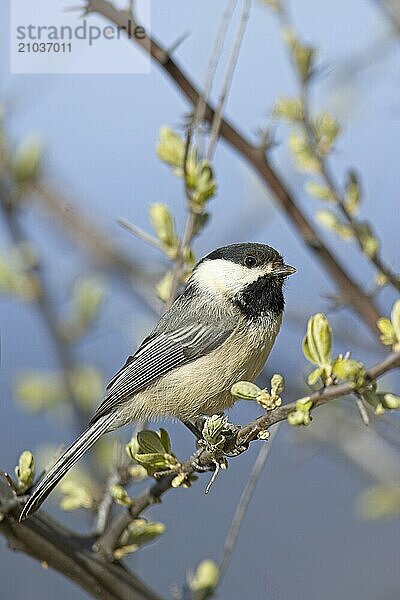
(219, 331)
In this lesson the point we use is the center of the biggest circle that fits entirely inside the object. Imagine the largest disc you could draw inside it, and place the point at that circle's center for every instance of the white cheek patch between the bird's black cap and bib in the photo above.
(222, 277)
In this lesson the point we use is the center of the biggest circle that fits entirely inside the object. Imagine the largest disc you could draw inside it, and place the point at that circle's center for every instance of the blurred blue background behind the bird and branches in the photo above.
(309, 531)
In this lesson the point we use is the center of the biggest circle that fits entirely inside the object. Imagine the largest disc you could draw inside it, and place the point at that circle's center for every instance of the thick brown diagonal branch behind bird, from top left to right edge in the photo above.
(257, 158)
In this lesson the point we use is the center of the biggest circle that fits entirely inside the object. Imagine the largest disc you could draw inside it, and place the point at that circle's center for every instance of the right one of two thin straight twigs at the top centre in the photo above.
(216, 122)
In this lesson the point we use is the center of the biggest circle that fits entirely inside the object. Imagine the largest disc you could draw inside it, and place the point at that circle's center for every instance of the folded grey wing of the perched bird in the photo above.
(159, 354)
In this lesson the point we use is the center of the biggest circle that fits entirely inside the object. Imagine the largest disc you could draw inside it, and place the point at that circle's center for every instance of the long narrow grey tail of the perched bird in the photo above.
(65, 462)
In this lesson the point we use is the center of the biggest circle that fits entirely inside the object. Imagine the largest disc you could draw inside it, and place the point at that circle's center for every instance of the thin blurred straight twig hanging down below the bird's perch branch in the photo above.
(244, 502)
